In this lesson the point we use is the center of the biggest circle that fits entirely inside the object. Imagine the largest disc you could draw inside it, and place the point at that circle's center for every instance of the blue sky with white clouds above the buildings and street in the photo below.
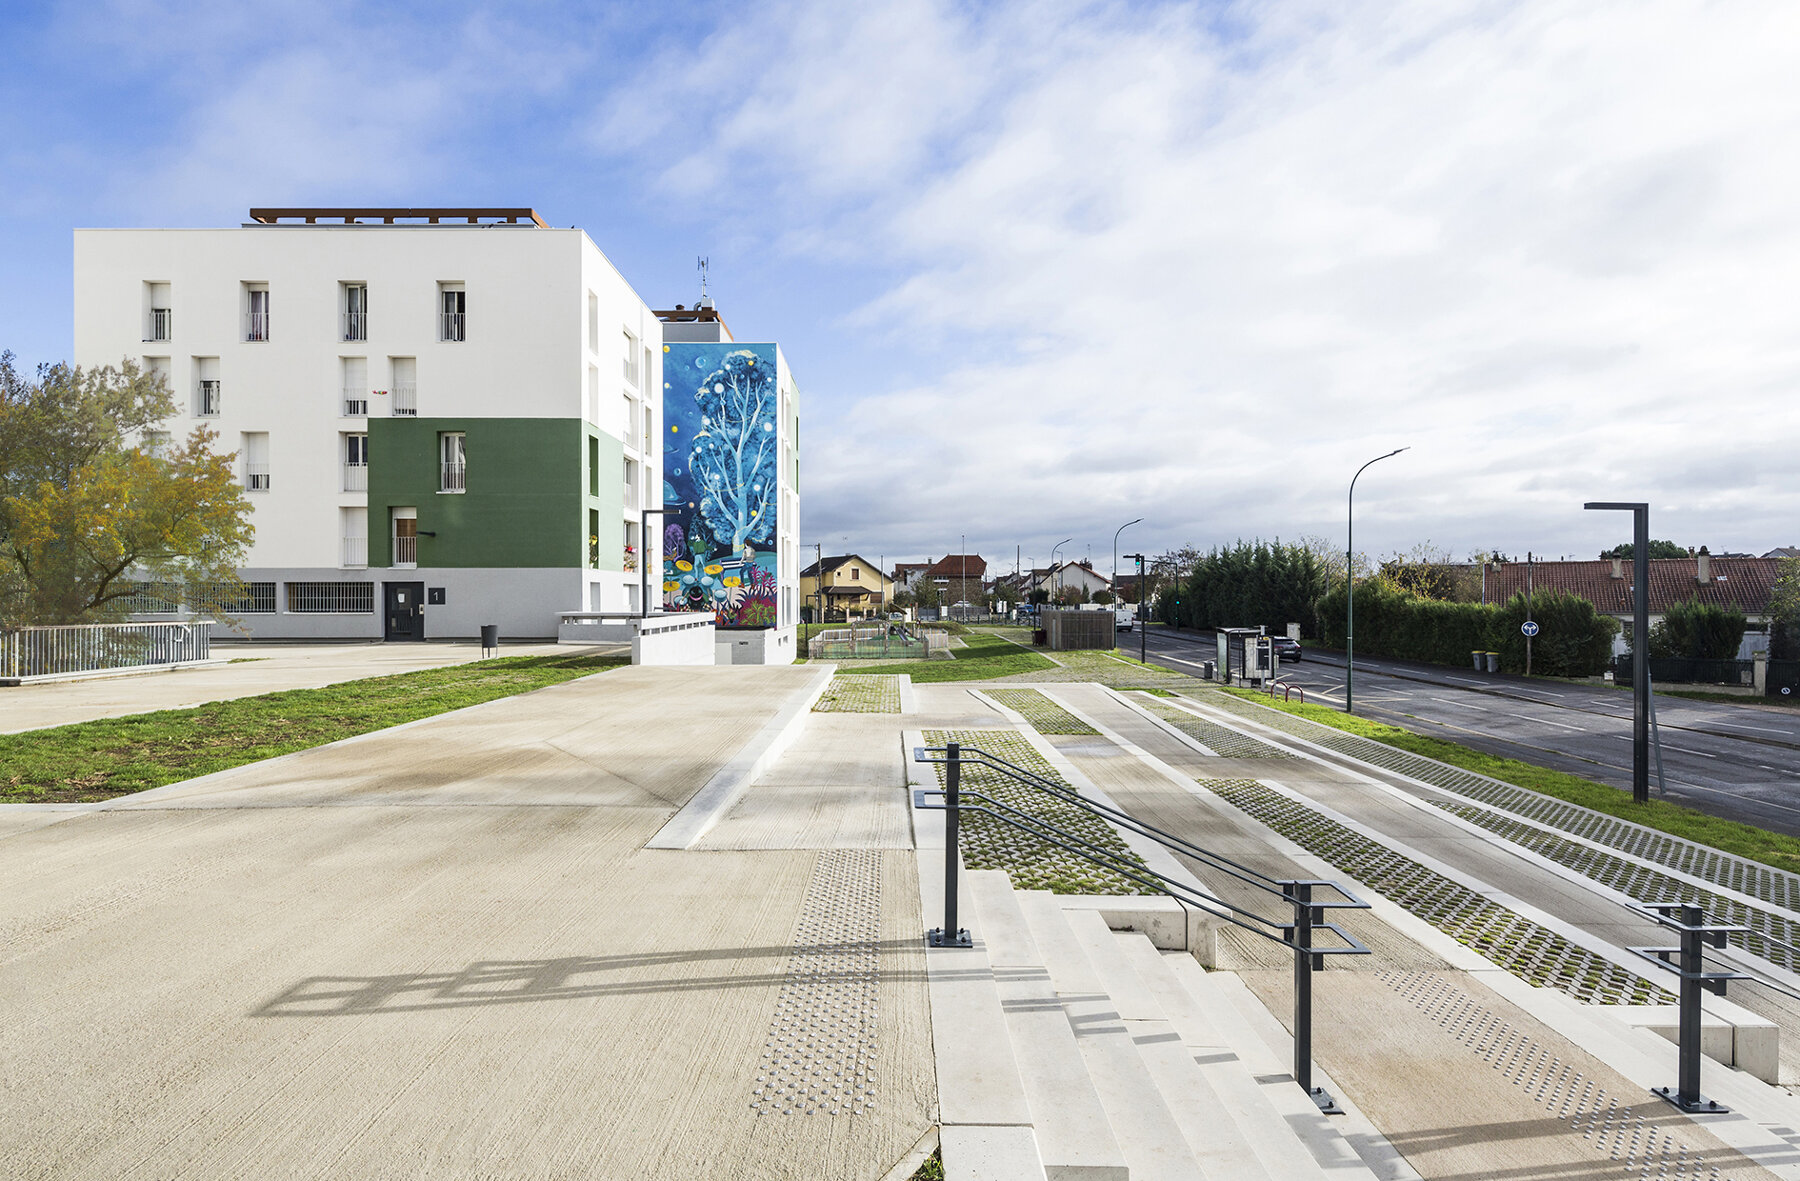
(1043, 269)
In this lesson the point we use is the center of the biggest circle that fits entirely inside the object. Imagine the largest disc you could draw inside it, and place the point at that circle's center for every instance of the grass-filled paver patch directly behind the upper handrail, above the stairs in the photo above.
(1032, 863)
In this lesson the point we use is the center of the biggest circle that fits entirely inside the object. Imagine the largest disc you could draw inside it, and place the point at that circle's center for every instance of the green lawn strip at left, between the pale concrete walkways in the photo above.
(120, 757)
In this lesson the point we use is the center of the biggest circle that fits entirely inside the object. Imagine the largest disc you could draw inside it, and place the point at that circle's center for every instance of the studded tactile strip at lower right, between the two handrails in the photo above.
(1565, 1094)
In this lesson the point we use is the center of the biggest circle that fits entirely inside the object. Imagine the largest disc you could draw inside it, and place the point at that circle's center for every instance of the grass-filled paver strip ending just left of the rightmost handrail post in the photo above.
(1516, 944)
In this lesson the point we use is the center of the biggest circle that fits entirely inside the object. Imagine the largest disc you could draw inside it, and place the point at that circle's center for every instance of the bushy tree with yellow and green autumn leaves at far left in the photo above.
(89, 512)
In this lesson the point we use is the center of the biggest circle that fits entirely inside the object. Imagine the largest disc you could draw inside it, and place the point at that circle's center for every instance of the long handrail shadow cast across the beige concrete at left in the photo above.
(519, 982)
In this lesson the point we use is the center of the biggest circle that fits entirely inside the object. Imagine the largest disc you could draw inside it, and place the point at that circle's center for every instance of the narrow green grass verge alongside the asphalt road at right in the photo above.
(1772, 849)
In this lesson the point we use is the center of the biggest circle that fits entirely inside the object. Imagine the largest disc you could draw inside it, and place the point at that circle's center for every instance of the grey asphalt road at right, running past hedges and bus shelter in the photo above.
(1738, 762)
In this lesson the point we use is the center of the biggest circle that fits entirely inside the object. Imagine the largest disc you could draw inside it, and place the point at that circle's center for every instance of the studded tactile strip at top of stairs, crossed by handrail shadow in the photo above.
(820, 1058)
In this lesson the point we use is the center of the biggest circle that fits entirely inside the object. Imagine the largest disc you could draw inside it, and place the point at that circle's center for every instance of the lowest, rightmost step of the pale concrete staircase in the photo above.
(1252, 1034)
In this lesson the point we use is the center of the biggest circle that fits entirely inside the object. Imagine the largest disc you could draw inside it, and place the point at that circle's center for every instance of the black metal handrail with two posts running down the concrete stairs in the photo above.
(1297, 935)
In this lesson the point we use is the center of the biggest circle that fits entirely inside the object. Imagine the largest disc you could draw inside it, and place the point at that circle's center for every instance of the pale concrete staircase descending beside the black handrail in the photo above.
(1074, 1052)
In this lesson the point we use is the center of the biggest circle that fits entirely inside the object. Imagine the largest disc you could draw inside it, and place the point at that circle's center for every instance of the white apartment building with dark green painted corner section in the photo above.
(442, 417)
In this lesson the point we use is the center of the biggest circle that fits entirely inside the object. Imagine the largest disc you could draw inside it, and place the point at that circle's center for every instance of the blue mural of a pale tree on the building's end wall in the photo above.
(719, 464)
